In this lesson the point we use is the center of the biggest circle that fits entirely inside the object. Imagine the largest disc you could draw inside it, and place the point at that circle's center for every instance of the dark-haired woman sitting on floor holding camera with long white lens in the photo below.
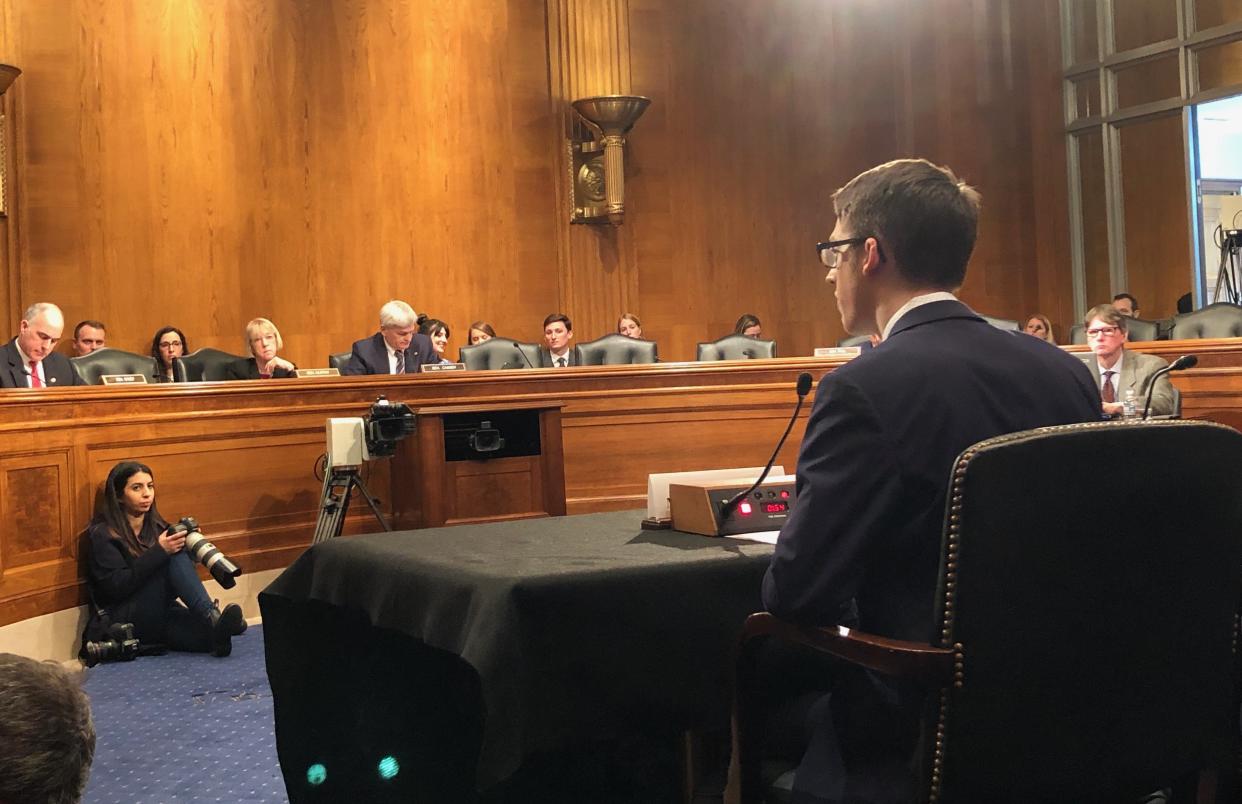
(137, 571)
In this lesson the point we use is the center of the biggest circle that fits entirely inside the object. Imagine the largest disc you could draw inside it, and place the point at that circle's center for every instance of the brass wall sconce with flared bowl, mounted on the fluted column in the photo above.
(598, 166)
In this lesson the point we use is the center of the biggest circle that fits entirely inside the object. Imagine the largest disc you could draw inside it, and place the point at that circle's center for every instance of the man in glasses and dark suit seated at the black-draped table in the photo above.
(863, 544)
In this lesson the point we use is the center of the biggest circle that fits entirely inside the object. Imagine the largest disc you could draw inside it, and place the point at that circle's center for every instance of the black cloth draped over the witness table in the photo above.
(577, 626)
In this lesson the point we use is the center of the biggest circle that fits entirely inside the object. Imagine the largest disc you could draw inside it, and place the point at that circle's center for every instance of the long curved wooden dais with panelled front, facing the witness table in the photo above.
(242, 457)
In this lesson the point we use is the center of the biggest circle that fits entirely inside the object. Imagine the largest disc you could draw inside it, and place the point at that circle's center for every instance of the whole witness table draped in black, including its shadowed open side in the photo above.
(564, 628)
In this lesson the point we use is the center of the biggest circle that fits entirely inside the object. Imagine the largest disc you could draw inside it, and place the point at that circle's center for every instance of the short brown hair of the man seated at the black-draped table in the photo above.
(922, 213)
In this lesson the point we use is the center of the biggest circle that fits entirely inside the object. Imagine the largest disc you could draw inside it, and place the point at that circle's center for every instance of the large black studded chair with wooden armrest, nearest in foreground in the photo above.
(1071, 663)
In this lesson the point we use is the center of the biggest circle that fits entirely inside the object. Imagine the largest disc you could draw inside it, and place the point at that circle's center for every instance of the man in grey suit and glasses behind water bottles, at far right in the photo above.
(1118, 371)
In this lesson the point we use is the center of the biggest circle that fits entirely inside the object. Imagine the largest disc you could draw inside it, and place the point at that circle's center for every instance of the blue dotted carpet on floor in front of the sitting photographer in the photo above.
(186, 728)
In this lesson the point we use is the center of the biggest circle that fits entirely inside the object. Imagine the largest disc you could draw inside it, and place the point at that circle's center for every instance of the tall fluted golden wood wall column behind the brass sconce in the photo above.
(588, 55)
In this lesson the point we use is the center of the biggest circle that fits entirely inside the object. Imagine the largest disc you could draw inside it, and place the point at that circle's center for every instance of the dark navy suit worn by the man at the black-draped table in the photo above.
(863, 544)
